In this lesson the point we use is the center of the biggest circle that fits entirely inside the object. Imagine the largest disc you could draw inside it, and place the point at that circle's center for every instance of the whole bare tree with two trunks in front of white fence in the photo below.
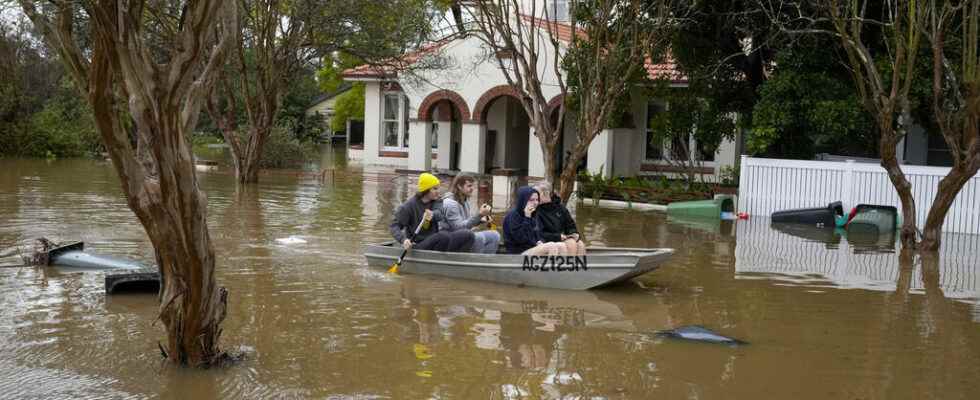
(885, 74)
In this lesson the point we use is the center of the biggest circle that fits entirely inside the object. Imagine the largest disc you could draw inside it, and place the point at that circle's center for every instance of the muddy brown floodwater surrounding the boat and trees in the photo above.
(826, 317)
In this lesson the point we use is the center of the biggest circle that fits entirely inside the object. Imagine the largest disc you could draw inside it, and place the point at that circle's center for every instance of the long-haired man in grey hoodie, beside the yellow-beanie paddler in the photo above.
(456, 206)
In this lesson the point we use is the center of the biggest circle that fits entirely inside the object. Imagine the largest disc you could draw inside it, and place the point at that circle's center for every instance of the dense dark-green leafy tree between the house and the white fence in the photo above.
(724, 49)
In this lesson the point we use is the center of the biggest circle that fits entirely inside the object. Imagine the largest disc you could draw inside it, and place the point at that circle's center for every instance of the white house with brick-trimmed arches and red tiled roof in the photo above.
(467, 118)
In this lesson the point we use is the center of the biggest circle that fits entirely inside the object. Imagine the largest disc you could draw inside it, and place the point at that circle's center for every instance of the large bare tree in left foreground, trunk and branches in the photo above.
(145, 75)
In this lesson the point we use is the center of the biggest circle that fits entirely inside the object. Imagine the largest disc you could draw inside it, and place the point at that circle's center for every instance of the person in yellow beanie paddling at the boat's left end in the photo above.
(425, 208)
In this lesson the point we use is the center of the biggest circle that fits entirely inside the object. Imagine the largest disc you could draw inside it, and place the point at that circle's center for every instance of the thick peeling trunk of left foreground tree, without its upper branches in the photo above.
(174, 213)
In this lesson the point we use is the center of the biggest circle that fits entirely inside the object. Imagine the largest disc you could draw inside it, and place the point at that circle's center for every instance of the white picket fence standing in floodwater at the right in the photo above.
(769, 185)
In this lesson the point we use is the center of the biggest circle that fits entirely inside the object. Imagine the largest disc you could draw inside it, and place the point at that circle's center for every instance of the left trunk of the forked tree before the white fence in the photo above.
(889, 161)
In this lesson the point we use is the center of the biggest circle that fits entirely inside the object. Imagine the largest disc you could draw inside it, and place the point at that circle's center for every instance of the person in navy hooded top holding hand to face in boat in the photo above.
(522, 233)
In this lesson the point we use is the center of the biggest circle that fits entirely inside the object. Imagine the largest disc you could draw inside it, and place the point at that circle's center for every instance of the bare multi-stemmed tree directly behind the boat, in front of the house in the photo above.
(602, 53)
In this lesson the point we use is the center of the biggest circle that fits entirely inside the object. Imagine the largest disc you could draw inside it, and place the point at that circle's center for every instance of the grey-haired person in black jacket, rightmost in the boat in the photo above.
(557, 224)
